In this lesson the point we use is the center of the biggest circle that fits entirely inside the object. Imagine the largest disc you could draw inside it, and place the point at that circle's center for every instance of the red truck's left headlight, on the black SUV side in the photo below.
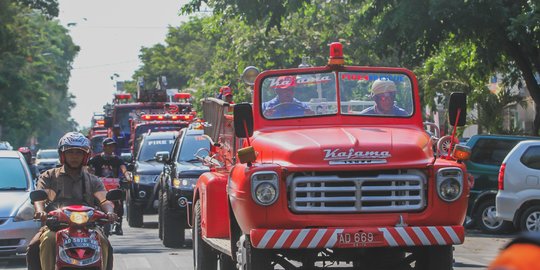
(265, 187)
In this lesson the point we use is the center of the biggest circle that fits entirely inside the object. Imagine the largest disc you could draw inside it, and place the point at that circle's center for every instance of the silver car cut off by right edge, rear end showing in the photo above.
(518, 198)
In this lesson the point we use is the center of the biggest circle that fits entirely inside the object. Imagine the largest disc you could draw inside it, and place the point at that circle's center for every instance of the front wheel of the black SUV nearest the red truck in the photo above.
(173, 225)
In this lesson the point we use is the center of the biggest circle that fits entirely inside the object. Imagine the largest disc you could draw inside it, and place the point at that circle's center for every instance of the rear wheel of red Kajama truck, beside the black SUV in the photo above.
(204, 258)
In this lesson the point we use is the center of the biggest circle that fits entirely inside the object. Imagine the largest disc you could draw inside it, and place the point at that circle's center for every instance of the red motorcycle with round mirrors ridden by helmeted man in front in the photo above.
(77, 240)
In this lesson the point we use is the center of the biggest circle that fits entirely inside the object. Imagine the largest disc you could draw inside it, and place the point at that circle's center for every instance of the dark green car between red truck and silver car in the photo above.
(487, 154)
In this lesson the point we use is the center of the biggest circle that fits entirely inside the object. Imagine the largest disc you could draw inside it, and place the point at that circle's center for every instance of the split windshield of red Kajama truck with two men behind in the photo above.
(360, 93)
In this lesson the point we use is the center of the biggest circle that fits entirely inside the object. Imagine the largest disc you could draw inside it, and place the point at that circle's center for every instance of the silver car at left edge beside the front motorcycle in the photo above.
(17, 226)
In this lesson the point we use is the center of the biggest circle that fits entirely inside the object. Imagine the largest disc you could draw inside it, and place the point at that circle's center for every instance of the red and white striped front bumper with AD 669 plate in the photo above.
(358, 237)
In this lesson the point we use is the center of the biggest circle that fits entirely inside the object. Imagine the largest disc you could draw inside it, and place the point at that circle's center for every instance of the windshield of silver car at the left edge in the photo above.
(13, 176)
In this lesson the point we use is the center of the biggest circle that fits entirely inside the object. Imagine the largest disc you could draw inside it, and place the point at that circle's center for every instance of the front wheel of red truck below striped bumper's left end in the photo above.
(250, 258)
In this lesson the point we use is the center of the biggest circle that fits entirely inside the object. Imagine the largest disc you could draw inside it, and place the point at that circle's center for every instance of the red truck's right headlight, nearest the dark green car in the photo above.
(449, 184)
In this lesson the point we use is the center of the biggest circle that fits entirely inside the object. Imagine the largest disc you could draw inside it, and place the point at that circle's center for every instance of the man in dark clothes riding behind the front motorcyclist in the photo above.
(110, 165)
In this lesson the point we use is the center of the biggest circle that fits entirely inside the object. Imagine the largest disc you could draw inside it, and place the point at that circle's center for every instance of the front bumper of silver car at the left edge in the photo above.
(15, 236)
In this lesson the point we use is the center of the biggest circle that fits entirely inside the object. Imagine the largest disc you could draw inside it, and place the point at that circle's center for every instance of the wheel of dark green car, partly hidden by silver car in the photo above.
(487, 221)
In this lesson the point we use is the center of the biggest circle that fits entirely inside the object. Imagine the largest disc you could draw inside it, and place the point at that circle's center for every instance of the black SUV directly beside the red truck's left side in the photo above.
(178, 179)
